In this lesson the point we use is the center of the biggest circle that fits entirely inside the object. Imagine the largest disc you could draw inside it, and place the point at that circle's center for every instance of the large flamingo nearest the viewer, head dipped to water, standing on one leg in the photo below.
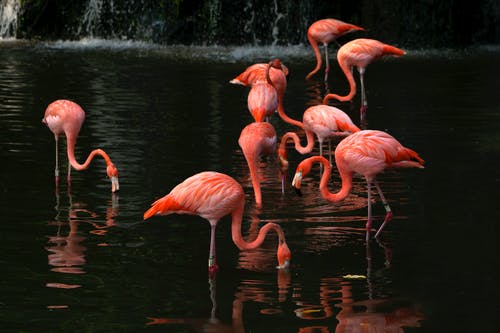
(213, 195)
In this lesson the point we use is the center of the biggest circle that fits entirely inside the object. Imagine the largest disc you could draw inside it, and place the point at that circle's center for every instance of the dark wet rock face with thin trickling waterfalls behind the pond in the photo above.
(430, 23)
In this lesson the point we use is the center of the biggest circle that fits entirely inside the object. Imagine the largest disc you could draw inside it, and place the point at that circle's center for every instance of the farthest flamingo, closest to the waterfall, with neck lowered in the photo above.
(325, 31)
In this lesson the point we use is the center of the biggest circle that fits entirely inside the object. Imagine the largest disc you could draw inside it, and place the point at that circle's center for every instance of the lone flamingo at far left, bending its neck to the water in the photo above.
(64, 116)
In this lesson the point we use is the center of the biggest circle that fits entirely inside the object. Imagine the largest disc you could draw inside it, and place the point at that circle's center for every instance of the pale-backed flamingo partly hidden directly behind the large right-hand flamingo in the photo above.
(325, 122)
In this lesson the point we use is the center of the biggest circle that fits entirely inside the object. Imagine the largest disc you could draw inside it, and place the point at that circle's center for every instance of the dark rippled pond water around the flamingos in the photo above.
(84, 261)
